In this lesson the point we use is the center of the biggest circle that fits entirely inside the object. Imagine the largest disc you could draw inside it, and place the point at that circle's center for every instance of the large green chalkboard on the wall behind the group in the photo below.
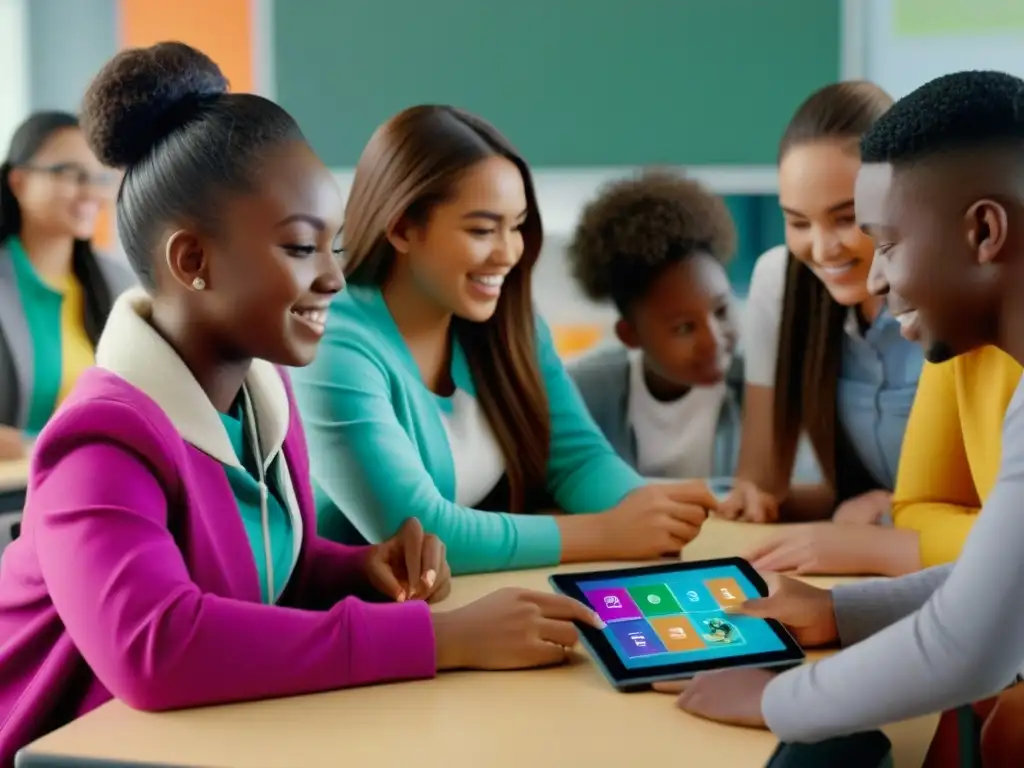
(571, 82)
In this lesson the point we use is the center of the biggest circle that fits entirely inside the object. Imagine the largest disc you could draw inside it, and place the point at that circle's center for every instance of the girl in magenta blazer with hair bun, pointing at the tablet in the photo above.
(169, 556)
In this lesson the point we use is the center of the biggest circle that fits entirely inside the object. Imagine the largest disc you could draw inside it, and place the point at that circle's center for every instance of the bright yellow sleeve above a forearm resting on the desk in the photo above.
(935, 491)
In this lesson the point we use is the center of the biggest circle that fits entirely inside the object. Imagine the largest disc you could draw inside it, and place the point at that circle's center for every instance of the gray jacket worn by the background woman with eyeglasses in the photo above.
(16, 343)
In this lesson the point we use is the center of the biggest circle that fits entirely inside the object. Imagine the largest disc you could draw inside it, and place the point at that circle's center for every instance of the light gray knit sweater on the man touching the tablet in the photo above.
(927, 643)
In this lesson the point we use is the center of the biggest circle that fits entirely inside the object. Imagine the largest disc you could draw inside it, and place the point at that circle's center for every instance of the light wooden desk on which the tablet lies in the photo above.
(551, 718)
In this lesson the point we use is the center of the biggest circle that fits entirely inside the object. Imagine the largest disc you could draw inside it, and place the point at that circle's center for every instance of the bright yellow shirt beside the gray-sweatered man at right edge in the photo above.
(952, 451)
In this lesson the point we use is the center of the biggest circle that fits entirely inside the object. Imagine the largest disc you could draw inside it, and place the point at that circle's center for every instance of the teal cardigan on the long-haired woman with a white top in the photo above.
(379, 451)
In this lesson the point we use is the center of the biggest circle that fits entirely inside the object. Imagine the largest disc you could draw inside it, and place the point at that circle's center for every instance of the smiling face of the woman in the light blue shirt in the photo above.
(817, 184)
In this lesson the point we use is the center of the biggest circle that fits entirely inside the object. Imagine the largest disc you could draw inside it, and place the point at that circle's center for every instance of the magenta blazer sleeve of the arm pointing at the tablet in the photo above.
(120, 584)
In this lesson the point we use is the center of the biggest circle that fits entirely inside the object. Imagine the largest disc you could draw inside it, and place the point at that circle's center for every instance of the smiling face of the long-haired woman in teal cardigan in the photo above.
(459, 258)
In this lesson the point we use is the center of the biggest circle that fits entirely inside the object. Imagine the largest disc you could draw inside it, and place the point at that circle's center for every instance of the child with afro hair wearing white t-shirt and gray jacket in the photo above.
(669, 398)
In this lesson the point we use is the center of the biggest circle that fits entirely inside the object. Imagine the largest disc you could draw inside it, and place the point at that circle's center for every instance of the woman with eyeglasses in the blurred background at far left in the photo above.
(55, 292)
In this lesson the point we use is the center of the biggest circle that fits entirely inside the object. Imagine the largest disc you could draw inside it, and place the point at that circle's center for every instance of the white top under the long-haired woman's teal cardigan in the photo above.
(478, 458)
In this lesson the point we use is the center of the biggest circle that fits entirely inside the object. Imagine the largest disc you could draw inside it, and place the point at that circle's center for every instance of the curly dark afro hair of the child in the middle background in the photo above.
(637, 228)
